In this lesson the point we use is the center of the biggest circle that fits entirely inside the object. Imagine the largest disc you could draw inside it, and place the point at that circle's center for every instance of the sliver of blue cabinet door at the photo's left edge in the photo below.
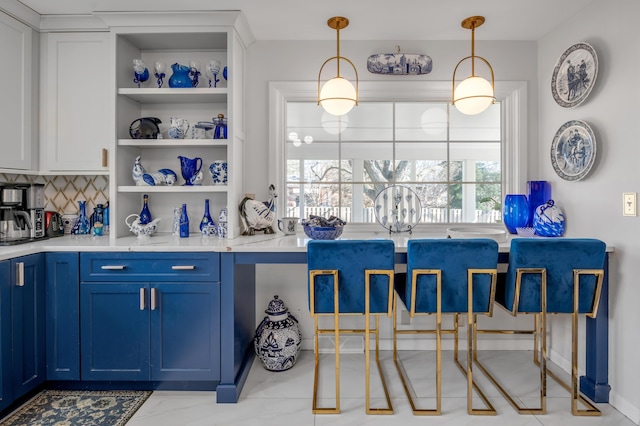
(6, 395)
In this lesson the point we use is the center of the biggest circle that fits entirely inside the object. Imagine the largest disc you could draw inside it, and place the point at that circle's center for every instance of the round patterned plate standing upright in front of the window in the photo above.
(398, 208)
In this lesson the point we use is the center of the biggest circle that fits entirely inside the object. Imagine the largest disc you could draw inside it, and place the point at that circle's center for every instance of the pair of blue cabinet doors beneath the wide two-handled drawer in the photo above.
(150, 331)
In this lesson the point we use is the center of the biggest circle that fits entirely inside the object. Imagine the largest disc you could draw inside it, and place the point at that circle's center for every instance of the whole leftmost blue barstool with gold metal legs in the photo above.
(350, 277)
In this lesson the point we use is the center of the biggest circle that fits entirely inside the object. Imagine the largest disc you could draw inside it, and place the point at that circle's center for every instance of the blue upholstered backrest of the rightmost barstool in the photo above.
(559, 257)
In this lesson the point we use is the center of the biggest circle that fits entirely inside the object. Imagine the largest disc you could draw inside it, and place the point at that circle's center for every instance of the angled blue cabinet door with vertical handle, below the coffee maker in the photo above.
(28, 326)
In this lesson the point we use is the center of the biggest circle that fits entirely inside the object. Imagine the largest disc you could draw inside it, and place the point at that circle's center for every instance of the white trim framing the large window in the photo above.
(512, 94)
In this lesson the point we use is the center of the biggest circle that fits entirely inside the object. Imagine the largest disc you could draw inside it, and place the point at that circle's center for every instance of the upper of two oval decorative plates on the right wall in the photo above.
(574, 75)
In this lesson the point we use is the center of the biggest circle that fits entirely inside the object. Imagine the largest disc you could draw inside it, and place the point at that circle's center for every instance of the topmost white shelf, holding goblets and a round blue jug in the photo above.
(175, 95)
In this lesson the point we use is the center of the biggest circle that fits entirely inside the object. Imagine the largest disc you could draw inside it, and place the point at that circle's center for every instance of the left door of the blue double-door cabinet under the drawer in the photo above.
(114, 331)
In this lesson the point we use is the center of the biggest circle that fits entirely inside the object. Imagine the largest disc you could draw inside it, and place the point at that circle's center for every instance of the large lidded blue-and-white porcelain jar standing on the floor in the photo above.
(278, 339)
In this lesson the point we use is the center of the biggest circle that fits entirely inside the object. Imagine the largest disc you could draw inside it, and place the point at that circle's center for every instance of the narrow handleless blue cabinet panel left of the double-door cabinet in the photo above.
(63, 316)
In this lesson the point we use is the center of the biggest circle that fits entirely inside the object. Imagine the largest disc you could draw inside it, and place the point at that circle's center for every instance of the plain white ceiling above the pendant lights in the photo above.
(369, 19)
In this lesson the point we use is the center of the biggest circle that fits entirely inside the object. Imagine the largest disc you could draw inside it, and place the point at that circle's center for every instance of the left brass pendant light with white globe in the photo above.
(338, 95)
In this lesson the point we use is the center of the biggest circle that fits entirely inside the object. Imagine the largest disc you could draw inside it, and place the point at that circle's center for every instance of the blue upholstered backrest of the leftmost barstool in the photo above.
(351, 258)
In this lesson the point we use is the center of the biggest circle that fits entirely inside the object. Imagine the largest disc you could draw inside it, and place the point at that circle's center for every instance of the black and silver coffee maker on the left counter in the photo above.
(21, 213)
